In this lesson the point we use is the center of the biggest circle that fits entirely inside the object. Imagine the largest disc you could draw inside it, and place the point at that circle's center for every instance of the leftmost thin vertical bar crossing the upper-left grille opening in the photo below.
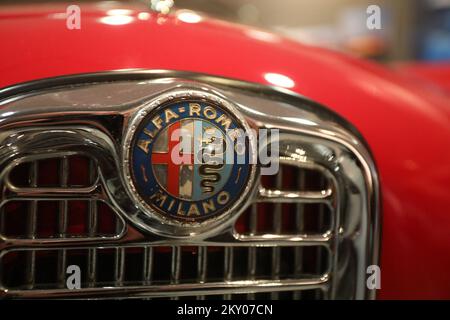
(32, 217)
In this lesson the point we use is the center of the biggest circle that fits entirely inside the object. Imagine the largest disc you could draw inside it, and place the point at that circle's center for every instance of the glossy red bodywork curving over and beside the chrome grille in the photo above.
(405, 125)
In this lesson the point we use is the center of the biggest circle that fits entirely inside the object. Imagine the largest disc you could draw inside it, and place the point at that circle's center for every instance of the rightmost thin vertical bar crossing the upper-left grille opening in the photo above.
(92, 229)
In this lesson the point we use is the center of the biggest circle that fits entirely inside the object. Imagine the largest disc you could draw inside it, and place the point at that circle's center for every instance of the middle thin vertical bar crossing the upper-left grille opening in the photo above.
(62, 221)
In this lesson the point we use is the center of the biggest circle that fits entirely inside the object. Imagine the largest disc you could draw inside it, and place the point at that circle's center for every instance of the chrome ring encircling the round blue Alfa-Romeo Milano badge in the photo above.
(154, 221)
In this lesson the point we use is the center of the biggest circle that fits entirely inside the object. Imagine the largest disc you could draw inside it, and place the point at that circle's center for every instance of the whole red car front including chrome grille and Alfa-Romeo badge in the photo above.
(98, 199)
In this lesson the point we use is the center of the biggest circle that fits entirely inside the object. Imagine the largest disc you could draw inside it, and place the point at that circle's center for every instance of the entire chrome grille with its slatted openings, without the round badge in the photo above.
(308, 232)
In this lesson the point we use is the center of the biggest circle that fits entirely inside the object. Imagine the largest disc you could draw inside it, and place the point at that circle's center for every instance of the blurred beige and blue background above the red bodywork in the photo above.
(410, 29)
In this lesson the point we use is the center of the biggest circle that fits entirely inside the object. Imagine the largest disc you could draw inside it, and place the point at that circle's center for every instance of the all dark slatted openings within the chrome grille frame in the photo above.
(160, 267)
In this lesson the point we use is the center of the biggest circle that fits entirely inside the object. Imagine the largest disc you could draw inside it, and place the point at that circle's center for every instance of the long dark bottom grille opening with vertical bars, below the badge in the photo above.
(138, 267)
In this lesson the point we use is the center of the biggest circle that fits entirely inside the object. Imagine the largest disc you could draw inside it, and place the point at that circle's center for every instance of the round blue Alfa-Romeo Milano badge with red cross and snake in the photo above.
(188, 160)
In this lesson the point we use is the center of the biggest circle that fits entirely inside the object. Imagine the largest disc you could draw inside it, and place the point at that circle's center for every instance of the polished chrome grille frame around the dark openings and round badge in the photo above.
(87, 114)
